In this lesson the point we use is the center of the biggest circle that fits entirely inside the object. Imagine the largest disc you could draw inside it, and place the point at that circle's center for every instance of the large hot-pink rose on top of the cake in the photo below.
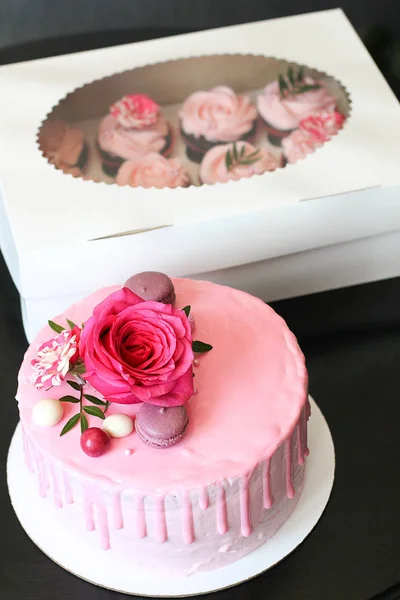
(136, 351)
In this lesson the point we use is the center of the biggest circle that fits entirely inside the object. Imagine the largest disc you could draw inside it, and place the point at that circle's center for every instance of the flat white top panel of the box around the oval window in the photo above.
(44, 210)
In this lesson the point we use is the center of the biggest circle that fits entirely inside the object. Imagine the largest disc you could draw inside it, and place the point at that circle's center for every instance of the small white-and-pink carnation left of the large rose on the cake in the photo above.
(55, 358)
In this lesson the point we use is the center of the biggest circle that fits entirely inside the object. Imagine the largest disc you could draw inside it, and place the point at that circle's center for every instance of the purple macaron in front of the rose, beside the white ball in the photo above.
(161, 427)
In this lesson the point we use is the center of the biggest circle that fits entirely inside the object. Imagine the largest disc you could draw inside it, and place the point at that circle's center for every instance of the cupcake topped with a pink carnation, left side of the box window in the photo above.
(133, 128)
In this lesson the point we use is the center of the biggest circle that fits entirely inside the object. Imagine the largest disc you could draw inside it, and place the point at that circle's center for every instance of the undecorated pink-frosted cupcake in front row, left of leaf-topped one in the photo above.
(153, 170)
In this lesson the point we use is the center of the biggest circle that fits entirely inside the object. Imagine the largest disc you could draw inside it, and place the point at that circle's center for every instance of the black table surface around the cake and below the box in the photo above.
(351, 339)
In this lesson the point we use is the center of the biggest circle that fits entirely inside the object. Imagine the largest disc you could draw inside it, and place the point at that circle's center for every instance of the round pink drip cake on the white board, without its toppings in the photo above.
(233, 478)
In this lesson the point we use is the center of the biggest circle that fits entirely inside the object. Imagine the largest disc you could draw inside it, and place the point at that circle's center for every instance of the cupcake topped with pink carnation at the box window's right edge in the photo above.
(313, 131)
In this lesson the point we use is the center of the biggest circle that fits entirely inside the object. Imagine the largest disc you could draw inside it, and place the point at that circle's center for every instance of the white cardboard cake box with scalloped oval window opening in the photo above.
(332, 219)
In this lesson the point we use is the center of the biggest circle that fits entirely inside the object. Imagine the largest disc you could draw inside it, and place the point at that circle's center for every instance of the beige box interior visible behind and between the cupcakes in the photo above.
(170, 83)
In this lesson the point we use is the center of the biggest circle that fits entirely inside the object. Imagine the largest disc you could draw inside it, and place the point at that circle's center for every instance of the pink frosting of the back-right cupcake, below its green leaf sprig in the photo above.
(286, 113)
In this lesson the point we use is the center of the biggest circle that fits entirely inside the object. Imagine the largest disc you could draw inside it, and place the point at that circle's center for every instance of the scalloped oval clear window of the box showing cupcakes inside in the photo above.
(194, 121)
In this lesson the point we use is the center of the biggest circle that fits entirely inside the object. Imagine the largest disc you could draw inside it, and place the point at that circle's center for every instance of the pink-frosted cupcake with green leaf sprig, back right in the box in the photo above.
(293, 97)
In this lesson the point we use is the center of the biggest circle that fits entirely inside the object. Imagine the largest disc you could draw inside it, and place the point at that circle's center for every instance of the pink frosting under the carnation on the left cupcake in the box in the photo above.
(131, 143)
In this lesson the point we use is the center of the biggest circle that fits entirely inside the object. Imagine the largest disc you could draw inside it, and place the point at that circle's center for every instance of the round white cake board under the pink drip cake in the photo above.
(33, 512)
